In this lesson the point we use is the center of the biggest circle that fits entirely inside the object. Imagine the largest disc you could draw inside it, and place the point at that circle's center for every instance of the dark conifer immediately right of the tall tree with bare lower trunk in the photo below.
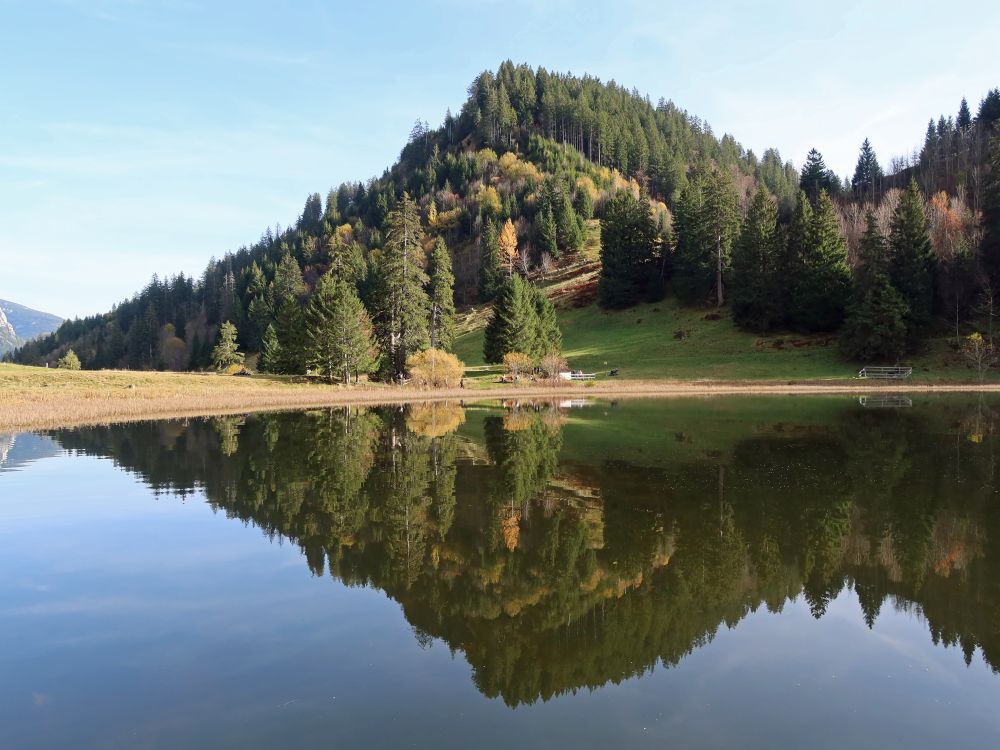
(756, 298)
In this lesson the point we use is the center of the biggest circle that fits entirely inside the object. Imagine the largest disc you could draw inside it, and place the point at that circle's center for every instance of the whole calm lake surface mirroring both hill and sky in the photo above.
(753, 573)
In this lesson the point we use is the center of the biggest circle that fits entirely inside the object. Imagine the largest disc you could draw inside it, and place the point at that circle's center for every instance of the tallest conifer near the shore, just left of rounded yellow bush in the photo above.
(401, 320)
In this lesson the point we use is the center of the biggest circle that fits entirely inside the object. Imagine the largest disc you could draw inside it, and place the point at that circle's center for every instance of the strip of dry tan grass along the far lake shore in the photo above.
(50, 399)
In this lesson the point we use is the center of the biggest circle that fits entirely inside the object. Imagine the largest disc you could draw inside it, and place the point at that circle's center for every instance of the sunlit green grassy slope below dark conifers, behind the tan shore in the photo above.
(664, 340)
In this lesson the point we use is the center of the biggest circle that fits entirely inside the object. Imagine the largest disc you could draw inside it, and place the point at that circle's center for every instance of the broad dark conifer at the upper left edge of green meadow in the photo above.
(628, 246)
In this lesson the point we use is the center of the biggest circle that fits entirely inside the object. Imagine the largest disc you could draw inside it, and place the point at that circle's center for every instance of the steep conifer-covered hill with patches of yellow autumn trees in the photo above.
(507, 185)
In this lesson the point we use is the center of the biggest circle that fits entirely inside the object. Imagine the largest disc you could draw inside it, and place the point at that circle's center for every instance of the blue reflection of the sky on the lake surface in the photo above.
(140, 621)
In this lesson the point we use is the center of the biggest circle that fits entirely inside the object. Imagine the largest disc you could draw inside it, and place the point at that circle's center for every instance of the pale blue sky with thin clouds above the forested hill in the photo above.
(142, 136)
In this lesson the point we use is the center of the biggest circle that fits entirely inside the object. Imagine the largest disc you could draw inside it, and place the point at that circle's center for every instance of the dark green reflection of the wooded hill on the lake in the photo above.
(554, 576)
